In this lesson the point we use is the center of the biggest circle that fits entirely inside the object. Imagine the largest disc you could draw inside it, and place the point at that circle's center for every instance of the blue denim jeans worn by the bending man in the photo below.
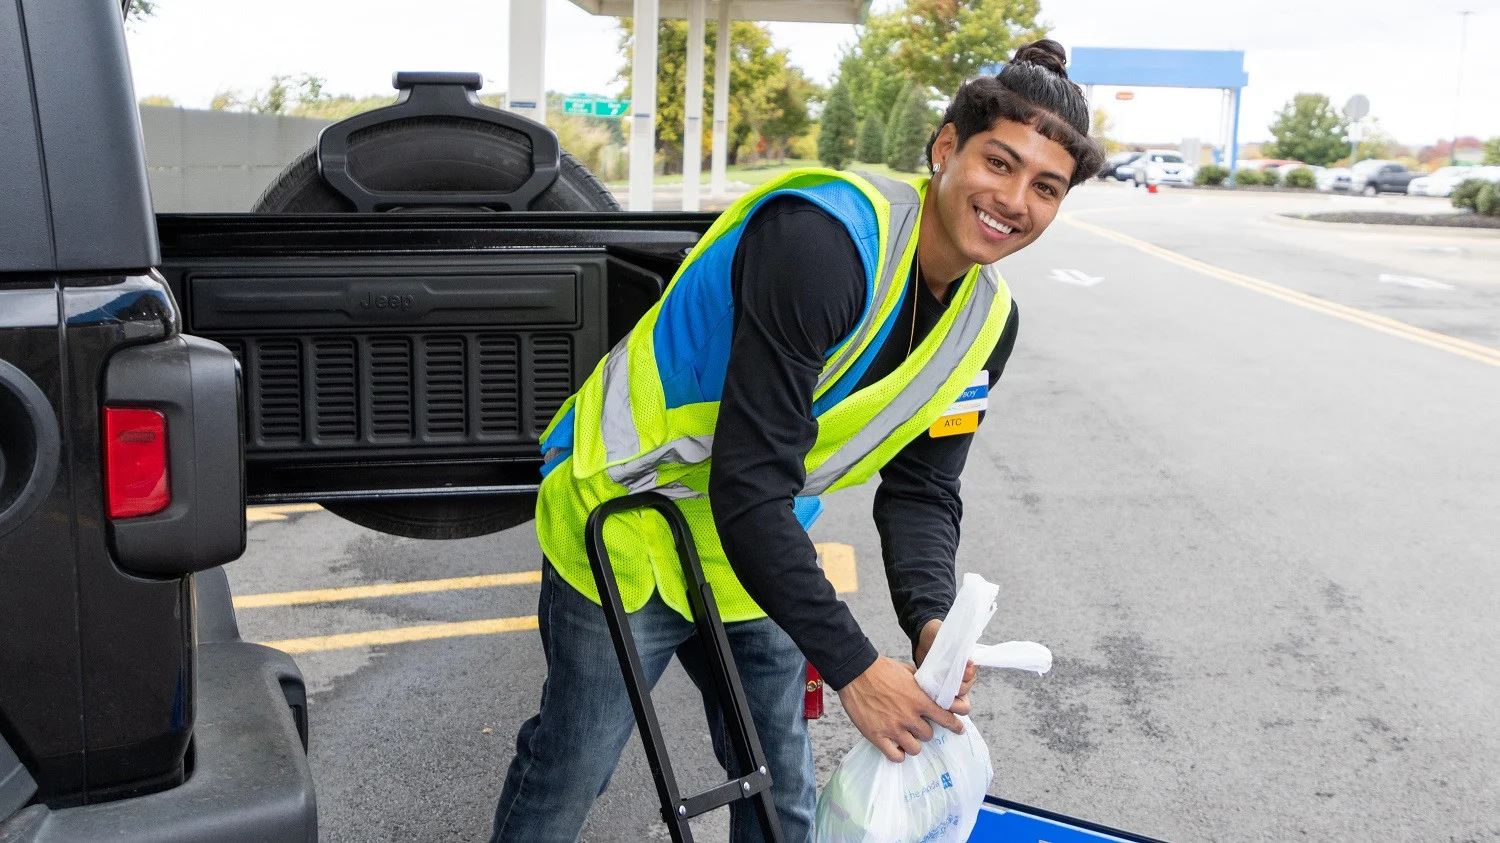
(568, 752)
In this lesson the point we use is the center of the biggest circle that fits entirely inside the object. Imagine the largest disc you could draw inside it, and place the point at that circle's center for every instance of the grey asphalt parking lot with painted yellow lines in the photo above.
(1243, 478)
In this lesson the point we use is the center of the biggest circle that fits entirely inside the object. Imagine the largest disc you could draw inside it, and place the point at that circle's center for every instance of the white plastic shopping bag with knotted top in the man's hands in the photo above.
(935, 796)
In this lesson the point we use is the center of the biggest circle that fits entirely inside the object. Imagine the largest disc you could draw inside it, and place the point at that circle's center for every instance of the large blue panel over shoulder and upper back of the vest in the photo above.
(695, 326)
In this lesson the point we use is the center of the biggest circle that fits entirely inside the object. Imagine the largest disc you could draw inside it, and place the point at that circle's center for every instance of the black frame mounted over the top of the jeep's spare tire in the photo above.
(437, 95)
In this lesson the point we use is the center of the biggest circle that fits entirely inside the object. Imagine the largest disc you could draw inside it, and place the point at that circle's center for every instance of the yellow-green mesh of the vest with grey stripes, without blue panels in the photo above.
(626, 440)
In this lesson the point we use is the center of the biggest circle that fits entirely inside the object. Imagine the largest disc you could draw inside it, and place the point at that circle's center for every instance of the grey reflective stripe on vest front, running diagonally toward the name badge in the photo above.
(917, 394)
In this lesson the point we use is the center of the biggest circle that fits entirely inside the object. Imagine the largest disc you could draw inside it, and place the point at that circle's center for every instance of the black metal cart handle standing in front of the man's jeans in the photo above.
(755, 784)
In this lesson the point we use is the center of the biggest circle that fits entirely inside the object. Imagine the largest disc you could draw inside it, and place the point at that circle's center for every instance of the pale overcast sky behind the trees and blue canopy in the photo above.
(1403, 56)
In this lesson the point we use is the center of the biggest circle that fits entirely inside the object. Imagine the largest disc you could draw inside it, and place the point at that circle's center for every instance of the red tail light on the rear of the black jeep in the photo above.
(136, 463)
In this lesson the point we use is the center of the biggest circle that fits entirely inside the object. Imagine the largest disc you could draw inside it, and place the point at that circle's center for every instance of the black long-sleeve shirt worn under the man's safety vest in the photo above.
(800, 289)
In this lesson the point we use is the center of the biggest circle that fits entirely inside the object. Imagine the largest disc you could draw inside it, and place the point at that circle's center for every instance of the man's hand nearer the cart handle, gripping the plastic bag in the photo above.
(892, 712)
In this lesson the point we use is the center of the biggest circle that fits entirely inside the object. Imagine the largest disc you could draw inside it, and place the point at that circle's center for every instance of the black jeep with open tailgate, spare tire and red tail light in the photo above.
(377, 340)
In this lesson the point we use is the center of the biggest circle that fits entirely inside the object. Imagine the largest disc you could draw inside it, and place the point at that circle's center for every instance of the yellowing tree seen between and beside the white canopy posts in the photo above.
(754, 71)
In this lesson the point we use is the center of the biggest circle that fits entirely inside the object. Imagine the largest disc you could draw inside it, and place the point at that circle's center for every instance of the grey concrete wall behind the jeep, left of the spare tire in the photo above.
(218, 161)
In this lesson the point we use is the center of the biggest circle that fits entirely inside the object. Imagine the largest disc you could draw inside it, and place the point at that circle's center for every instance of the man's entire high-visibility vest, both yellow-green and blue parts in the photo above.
(644, 419)
